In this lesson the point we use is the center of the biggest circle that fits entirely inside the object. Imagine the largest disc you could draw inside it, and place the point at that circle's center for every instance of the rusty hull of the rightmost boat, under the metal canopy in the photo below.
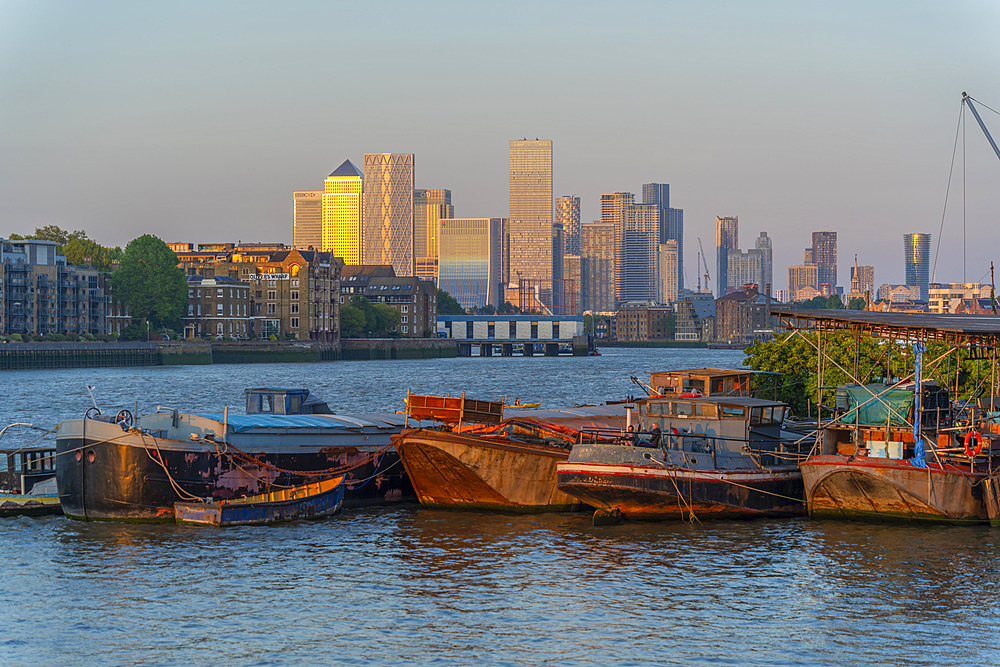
(874, 489)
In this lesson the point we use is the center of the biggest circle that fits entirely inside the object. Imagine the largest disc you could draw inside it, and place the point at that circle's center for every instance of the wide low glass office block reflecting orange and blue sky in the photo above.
(469, 256)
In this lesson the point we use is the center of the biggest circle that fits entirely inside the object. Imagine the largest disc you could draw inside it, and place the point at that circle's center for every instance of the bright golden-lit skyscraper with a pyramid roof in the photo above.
(343, 213)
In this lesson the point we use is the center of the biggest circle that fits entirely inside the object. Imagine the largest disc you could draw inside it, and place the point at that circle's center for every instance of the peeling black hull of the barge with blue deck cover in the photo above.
(105, 473)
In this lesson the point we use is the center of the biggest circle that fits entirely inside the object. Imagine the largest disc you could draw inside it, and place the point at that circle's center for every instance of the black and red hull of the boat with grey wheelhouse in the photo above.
(667, 494)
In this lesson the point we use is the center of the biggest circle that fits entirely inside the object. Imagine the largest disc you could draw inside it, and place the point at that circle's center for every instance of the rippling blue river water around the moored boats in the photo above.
(409, 586)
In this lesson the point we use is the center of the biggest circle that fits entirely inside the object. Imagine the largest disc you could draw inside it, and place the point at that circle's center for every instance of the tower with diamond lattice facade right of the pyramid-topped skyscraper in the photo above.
(387, 236)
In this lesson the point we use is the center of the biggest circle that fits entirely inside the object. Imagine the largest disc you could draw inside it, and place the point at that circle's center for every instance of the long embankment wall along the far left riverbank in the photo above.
(26, 356)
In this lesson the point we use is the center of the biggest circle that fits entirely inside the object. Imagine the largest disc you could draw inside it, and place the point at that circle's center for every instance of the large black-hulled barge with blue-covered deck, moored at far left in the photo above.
(115, 467)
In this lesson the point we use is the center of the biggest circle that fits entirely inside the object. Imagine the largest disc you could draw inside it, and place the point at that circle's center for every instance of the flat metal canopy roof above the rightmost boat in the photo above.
(962, 330)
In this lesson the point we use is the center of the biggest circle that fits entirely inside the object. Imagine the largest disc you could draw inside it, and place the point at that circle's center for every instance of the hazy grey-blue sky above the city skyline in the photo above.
(196, 121)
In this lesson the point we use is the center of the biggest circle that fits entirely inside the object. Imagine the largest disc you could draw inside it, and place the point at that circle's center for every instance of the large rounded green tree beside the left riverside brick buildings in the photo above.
(150, 283)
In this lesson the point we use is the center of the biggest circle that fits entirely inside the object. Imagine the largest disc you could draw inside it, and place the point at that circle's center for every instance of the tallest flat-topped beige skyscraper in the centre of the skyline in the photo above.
(531, 211)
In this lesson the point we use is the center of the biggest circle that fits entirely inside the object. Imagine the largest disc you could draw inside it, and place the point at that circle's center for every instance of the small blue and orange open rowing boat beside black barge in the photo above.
(309, 501)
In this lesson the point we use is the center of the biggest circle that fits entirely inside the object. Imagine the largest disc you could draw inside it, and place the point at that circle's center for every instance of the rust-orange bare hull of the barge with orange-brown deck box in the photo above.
(455, 471)
